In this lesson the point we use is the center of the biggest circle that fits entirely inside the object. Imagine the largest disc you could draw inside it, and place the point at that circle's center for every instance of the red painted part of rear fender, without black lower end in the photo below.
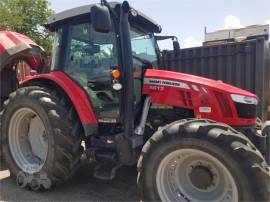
(77, 95)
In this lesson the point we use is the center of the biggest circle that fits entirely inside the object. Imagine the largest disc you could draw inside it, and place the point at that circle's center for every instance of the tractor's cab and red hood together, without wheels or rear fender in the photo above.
(111, 51)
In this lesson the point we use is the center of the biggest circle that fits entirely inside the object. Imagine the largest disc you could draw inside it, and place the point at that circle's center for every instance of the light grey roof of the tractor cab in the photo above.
(140, 19)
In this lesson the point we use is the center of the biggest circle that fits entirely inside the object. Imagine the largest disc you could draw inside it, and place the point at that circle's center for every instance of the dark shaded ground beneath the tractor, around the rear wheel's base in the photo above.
(81, 187)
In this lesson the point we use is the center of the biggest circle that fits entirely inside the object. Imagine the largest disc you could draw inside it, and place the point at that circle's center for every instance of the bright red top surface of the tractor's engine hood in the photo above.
(190, 80)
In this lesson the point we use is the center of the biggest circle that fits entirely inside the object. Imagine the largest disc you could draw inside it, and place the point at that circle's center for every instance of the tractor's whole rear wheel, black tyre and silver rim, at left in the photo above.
(41, 137)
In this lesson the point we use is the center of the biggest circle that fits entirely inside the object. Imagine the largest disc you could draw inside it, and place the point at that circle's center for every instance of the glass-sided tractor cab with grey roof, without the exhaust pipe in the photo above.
(89, 55)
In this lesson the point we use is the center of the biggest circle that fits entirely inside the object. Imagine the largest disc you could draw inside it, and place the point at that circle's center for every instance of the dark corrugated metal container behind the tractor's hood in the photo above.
(242, 64)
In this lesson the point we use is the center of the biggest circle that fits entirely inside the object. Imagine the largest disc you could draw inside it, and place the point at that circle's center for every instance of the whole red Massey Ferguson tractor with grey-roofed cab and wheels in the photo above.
(105, 100)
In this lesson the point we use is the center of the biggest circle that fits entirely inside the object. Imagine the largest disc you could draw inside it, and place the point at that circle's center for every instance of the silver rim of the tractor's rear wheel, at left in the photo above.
(28, 141)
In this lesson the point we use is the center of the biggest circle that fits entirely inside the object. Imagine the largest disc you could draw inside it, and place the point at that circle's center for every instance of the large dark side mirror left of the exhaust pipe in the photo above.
(101, 19)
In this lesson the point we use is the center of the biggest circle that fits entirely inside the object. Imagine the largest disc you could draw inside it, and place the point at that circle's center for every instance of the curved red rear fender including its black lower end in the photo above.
(77, 95)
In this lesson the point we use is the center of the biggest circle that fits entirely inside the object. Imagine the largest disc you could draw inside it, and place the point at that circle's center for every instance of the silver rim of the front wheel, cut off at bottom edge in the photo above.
(194, 175)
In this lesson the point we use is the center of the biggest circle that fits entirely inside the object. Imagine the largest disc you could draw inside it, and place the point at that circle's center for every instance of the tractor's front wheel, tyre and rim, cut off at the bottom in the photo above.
(201, 160)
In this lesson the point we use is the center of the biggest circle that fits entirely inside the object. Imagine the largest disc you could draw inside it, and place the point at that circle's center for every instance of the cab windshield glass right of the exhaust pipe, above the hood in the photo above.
(143, 47)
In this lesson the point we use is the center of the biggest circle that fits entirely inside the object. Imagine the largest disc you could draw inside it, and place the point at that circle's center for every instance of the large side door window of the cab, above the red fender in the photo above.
(89, 58)
